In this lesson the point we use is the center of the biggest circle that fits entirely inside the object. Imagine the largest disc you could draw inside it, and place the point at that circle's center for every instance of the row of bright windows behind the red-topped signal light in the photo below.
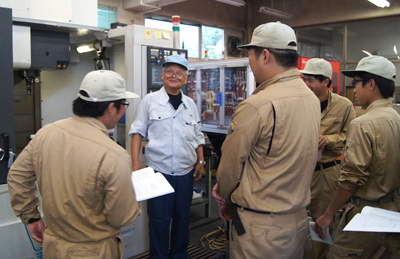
(213, 38)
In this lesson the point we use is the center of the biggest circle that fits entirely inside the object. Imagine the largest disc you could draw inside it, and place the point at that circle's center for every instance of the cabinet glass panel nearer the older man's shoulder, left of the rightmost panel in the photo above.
(210, 96)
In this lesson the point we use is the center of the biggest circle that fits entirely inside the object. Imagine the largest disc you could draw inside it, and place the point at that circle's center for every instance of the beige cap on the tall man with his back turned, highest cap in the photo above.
(274, 35)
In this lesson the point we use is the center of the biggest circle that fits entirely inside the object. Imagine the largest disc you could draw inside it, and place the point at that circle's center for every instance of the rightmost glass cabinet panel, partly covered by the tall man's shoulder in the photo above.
(235, 90)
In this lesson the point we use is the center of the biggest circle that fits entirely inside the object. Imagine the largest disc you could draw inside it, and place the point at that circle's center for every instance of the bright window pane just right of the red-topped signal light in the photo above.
(213, 42)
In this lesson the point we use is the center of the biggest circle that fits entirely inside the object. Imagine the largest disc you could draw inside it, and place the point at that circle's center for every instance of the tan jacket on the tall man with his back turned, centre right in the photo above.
(278, 181)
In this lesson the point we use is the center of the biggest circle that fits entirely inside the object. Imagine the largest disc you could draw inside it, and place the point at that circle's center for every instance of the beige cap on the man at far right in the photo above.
(376, 65)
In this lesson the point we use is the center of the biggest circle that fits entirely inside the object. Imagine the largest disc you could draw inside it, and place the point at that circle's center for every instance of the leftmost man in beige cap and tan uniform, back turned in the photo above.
(83, 176)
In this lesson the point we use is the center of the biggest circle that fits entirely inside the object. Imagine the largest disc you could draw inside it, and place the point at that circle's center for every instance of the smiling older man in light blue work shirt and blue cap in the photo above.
(169, 120)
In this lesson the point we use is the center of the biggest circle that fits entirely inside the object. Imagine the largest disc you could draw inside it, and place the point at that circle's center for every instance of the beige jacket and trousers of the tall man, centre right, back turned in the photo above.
(271, 175)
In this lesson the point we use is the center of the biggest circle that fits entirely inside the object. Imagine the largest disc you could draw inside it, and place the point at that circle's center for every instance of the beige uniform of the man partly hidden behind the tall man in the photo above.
(334, 122)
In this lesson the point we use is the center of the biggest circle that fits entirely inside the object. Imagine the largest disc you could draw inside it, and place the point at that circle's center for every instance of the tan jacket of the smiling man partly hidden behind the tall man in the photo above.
(335, 120)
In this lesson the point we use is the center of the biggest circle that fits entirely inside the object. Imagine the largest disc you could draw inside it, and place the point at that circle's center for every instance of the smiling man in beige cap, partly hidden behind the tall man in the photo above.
(336, 114)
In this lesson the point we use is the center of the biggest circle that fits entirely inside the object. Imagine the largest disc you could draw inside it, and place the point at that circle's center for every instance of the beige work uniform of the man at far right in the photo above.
(371, 170)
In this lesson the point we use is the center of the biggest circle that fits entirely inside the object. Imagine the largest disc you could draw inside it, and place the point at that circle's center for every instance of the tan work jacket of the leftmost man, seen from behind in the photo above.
(84, 179)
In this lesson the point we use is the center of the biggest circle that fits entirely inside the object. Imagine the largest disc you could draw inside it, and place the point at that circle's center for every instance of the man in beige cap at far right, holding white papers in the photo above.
(371, 163)
